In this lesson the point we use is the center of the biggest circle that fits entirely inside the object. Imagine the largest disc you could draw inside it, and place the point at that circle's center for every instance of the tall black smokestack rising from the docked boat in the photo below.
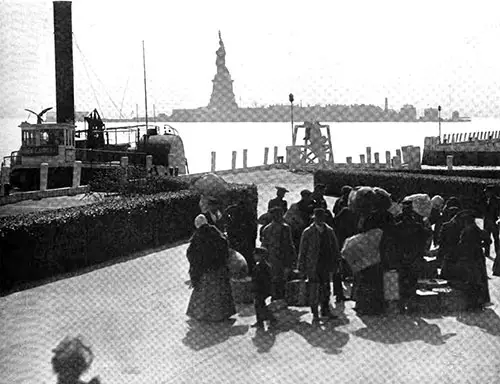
(63, 38)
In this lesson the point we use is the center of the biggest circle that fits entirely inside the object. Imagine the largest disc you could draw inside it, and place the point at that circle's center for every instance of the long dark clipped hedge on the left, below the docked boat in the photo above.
(42, 244)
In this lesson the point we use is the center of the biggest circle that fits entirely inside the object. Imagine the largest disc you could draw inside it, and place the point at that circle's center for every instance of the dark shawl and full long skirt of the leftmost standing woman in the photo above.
(211, 299)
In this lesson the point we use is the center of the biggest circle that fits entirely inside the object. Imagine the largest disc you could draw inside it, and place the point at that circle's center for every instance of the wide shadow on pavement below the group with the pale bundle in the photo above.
(400, 329)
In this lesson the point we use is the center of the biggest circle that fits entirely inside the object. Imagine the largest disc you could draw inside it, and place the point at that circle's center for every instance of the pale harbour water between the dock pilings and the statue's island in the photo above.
(348, 139)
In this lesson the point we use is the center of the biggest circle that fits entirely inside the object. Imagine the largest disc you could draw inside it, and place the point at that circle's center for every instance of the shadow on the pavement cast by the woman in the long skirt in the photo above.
(201, 335)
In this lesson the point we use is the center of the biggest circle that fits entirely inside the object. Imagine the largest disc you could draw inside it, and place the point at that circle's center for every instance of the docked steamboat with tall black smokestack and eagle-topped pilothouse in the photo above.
(59, 144)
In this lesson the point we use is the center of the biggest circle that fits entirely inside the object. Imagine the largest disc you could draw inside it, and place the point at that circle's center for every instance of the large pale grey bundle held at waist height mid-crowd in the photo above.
(362, 251)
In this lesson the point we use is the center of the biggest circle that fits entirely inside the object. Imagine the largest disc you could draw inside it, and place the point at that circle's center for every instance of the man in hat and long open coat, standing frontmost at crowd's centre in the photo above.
(318, 258)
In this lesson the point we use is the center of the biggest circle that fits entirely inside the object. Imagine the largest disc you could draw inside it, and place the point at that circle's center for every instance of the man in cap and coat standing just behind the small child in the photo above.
(277, 238)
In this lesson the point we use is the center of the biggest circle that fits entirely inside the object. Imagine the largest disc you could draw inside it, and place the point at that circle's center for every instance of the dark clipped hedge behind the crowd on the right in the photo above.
(468, 189)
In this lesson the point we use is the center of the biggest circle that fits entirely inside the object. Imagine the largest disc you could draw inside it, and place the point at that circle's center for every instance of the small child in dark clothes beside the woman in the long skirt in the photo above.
(262, 283)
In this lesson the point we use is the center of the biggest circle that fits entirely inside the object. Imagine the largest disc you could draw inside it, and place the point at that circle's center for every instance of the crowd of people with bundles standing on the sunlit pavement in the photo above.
(306, 240)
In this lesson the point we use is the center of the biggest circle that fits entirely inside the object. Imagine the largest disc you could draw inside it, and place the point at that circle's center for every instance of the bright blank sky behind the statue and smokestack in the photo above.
(425, 53)
